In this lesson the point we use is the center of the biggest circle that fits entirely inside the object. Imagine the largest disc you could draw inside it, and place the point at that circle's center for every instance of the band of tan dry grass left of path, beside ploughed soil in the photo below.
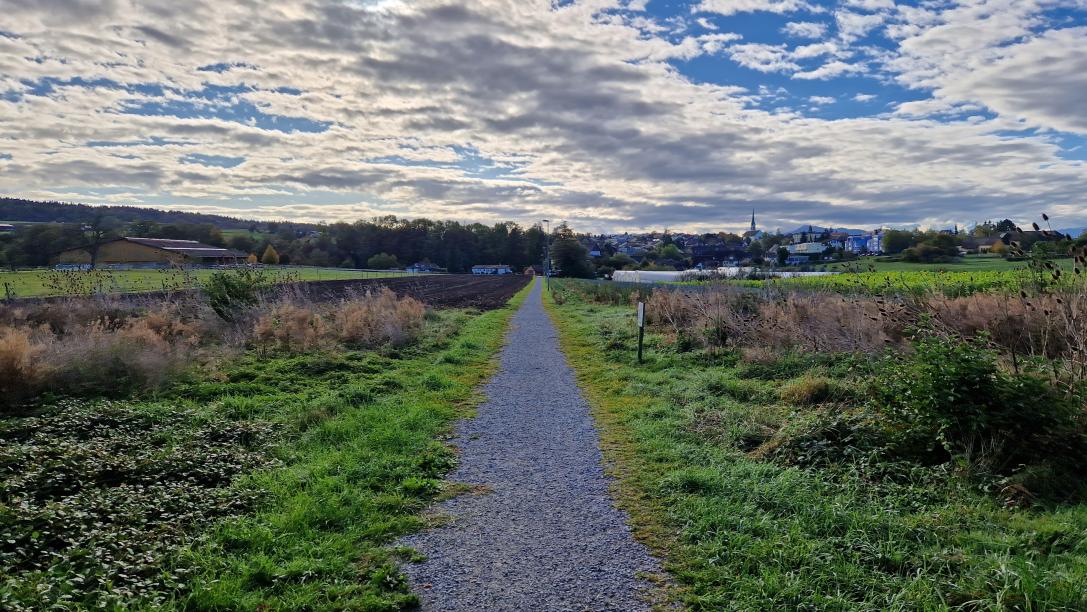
(116, 347)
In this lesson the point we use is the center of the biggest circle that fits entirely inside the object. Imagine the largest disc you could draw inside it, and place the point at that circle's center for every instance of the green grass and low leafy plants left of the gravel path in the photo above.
(276, 482)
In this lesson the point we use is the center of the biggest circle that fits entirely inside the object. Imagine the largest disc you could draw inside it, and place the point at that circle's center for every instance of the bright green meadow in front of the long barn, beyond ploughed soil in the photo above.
(44, 283)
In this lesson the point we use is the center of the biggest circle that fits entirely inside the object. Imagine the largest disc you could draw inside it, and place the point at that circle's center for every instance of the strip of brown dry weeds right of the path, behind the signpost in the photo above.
(1052, 326)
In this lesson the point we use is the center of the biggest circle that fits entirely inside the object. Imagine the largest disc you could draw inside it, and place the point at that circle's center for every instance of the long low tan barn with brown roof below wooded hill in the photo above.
(151, 253)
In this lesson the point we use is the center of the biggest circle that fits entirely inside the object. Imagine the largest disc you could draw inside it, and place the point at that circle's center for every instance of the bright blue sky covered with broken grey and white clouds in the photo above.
(614, 116)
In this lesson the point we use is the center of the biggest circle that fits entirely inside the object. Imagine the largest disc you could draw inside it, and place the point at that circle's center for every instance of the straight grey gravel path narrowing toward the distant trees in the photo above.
(545, 535)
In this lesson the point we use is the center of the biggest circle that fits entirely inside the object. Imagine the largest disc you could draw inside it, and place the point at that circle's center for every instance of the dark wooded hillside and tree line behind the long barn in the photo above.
(386, 242)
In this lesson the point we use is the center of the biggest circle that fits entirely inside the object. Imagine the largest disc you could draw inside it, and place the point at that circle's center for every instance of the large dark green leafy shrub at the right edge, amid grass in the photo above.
(951, 398)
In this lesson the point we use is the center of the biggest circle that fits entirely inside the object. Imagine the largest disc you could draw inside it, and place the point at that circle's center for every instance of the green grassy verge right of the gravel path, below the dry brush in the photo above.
(741, 531)
